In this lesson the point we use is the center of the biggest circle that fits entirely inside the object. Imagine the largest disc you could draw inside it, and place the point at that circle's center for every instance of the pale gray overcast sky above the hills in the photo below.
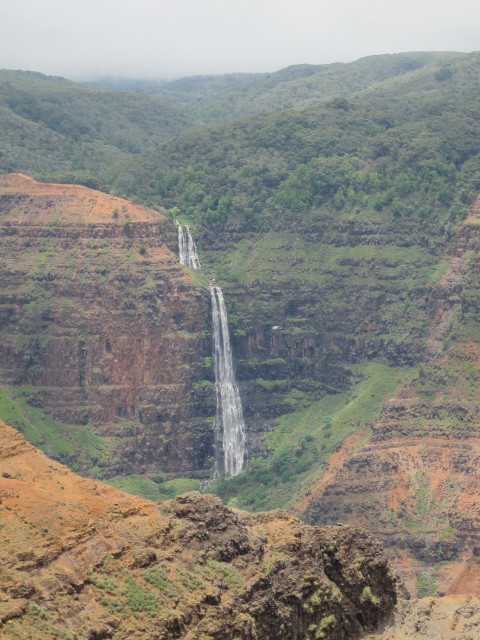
(173, 38)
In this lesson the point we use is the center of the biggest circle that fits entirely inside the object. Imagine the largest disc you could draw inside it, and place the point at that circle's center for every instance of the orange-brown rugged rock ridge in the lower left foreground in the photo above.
(79, 559)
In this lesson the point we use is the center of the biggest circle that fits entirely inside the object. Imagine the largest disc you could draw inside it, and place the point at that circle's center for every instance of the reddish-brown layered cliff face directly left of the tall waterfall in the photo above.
(102, 329)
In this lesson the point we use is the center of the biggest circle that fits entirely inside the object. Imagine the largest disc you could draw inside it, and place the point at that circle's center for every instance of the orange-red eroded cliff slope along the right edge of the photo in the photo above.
(416, 481)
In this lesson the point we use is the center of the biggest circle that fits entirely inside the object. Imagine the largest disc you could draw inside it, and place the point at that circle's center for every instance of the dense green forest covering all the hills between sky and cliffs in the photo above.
(360, 136)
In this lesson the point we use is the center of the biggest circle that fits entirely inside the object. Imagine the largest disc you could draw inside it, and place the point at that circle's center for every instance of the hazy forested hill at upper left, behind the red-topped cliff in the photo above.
(52, 125)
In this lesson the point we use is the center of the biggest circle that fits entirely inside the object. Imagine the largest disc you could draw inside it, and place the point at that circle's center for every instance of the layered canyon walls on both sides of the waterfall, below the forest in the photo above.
(107, 366)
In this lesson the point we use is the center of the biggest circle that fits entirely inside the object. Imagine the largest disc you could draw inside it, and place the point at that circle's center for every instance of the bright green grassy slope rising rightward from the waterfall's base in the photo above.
(304, 440)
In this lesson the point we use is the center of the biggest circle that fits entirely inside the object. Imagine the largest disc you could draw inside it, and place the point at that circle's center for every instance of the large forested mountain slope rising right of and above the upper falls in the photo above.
(418, 122)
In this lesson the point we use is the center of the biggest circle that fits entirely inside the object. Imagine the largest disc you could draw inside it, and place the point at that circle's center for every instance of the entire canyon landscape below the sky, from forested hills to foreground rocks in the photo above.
(310, 272)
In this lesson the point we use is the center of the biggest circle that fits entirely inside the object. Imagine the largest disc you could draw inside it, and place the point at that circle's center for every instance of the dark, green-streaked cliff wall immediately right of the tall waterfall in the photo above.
(308, 301)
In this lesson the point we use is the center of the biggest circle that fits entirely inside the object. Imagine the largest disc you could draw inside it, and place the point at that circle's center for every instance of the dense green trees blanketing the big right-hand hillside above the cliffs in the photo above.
(382, 158)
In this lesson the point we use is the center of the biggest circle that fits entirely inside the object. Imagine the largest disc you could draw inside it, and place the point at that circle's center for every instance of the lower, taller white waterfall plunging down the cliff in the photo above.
(229, 425)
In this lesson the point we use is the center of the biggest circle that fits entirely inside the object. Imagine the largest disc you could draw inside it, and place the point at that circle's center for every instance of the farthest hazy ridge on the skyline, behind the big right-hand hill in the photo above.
(225, 97)
